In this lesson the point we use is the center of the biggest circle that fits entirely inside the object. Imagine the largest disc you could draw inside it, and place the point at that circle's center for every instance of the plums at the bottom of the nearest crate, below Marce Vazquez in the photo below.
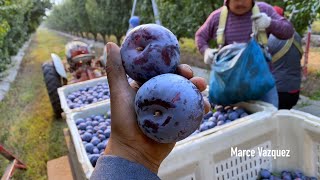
(284, 175)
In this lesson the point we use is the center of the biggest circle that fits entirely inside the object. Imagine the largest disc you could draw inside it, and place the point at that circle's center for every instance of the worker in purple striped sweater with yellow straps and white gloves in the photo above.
(238, 29)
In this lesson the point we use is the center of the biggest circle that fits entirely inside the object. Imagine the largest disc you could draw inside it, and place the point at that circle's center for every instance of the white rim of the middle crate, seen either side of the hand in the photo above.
(259, 109)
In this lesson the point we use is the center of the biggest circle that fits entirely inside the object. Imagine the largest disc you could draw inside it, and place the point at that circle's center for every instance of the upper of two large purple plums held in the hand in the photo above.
(150, 50)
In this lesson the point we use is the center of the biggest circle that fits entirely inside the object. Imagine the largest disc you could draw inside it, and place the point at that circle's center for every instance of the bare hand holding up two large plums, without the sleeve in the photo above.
(127, 140)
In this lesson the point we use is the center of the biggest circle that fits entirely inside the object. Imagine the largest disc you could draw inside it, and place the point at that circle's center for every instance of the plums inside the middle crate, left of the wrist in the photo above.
(94, 131)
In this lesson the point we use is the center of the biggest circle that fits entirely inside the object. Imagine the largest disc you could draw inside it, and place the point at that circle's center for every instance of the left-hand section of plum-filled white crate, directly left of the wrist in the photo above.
(90, 130)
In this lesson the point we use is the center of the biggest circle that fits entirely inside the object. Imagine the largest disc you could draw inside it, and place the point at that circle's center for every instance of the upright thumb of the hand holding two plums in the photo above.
(116, 74)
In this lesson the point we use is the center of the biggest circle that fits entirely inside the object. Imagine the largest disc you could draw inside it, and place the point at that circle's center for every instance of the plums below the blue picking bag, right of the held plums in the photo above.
(219, 116)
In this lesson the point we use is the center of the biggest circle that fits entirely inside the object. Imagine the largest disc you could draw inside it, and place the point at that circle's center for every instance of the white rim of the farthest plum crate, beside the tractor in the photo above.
(66, 90)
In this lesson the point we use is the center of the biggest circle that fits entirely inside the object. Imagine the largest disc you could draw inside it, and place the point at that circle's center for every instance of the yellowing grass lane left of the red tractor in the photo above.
(28, 126)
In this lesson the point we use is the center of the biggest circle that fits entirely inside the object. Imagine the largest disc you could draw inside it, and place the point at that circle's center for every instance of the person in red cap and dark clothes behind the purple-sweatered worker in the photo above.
(286, 57)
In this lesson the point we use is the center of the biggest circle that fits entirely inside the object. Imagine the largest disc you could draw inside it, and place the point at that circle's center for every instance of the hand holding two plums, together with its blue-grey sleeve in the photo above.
(130, 154)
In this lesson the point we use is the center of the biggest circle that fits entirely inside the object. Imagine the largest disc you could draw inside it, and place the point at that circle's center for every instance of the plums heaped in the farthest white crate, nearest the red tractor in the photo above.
(88, 95)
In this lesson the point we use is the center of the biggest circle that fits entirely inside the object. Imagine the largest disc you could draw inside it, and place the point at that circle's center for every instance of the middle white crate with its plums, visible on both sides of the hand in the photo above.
(90, 128)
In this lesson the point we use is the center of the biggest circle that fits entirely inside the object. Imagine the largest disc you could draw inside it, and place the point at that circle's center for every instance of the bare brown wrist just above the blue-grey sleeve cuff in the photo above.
(117, 148)
